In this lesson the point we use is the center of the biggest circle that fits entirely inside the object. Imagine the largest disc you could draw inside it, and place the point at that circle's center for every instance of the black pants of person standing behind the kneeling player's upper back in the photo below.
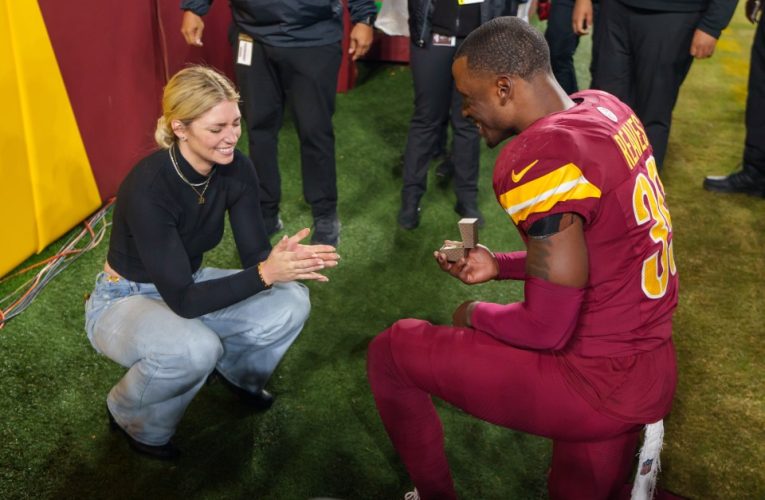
(643, 58)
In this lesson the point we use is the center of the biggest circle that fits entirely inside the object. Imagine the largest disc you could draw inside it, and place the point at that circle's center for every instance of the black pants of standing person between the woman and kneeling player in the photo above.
(435, 101)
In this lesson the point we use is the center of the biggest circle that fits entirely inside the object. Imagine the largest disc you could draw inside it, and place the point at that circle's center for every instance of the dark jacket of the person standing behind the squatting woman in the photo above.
(290, 23)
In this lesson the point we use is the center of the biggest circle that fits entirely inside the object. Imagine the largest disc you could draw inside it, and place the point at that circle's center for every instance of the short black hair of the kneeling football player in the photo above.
(506, 45)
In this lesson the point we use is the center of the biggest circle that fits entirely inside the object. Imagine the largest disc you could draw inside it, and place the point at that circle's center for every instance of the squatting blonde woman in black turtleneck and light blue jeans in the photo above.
(155, 310)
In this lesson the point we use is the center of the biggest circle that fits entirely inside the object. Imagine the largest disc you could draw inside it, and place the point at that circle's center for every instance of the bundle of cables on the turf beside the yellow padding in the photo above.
(25, 294)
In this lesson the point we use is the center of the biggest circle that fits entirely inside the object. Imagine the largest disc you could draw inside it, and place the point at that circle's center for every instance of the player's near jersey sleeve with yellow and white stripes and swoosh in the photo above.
(543, 178)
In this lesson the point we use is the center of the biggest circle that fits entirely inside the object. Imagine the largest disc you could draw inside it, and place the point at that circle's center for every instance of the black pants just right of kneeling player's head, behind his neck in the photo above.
(563, 42)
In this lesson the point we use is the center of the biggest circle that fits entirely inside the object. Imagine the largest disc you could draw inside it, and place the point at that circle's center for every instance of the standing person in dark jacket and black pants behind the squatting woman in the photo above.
(290, 52)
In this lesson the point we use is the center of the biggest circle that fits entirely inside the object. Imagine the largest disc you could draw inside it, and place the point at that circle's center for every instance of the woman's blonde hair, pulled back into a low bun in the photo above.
(189, 94)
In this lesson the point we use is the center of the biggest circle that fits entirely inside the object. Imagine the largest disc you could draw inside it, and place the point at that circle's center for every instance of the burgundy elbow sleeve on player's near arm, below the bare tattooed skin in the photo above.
(545, 320)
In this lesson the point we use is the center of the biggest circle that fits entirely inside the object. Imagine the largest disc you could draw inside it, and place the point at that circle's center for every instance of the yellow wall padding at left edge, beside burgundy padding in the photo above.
(47, 145)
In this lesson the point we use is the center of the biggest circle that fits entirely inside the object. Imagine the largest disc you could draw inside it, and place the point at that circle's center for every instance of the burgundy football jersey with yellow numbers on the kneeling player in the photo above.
(594, 160)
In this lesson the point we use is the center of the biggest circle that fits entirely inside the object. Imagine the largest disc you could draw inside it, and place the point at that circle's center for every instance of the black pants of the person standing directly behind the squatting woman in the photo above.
(306, 78)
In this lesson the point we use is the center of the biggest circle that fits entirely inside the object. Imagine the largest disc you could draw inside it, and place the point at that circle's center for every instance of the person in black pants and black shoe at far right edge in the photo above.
(751, 178)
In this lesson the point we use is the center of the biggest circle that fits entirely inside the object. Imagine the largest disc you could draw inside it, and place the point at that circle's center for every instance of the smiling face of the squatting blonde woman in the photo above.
(211, 138)
